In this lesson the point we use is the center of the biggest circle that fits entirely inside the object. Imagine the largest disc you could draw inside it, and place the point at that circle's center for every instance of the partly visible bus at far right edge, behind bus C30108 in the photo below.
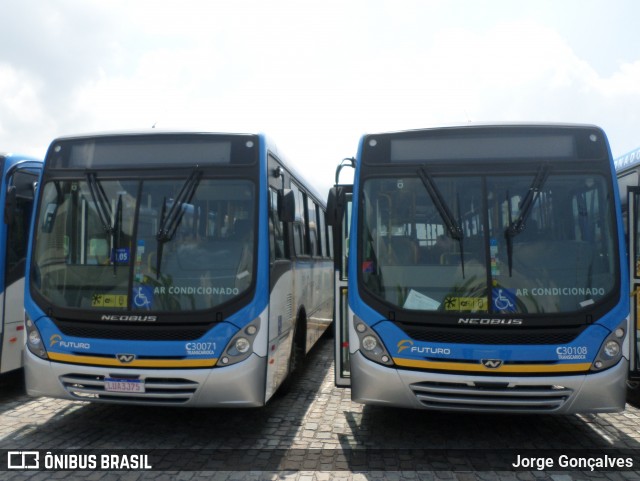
(628, 171)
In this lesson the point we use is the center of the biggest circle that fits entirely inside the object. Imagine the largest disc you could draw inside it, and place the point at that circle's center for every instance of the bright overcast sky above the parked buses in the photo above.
(314, 76)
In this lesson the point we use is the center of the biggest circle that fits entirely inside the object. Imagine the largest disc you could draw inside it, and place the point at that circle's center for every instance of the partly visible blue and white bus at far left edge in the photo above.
(19, 179)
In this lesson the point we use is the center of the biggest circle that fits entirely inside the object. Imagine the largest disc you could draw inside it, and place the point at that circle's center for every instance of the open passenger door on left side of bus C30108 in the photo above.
(339, 216)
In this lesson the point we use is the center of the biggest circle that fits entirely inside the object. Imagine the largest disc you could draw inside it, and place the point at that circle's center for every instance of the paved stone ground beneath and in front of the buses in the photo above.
(313, 433)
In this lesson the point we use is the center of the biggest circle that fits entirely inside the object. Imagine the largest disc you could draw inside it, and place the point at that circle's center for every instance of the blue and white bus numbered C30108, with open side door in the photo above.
(486, 271)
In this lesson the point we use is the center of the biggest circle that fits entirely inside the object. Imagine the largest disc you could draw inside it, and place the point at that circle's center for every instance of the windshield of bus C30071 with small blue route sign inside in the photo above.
(179, 244)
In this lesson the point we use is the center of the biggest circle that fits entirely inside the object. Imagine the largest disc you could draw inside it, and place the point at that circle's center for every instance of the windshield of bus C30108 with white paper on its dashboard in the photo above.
(540, 242)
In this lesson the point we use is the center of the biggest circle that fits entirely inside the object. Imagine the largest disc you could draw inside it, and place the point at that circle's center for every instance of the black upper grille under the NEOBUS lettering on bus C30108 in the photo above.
(490, 335)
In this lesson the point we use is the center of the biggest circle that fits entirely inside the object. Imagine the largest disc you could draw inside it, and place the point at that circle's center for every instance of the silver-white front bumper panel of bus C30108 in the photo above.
(602, 392)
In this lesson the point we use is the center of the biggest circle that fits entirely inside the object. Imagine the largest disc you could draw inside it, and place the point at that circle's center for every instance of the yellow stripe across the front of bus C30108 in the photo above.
(477, 367)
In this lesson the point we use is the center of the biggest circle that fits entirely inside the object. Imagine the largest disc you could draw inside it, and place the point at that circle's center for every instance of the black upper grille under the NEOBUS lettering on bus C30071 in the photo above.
(120, 331)
